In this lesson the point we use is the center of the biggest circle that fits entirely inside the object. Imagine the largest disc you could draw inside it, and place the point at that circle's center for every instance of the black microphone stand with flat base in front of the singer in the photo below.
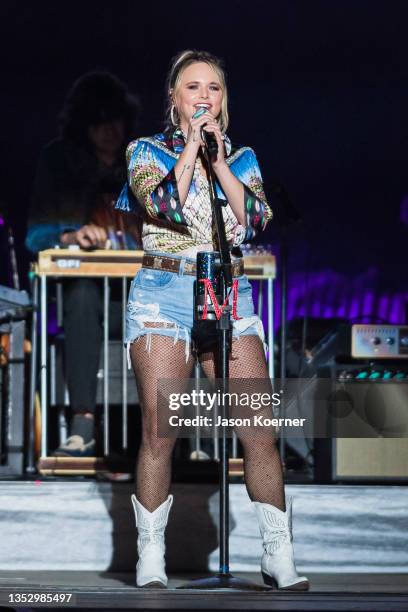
(223, 579)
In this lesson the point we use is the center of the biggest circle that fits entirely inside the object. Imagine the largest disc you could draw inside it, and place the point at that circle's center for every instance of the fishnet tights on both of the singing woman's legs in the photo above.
(262, 465)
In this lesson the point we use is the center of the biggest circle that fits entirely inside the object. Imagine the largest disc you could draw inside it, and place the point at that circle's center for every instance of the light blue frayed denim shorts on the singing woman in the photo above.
(166, 298)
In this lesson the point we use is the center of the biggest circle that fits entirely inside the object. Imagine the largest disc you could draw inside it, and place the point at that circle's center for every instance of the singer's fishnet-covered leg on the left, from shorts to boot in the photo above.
(153, 468)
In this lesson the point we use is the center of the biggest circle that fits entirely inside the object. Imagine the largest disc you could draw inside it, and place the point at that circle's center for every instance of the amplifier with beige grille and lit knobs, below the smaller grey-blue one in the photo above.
(377, 396)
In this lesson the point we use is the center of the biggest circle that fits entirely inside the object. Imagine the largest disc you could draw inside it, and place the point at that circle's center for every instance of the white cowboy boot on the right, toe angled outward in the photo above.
(277, 565)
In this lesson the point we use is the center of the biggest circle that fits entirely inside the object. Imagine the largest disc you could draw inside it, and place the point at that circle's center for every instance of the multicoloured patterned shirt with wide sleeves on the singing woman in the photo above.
(151, 191)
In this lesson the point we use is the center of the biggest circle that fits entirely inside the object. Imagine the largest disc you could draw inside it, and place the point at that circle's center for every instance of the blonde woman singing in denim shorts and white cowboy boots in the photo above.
(168, 180)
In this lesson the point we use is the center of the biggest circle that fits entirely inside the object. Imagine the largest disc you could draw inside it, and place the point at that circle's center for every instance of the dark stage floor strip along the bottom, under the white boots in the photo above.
(116, 591)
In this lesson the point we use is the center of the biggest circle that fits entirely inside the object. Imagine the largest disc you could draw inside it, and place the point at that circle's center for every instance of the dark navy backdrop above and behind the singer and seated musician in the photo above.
(318, 88)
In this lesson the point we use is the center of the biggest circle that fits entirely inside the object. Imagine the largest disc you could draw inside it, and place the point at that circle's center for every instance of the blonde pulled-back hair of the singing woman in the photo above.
(178, 64)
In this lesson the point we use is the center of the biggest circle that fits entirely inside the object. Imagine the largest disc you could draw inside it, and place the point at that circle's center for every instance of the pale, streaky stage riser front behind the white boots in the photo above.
(90, 526)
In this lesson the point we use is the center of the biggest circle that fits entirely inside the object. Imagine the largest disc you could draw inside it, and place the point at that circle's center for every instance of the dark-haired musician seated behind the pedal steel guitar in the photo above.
(78, 178)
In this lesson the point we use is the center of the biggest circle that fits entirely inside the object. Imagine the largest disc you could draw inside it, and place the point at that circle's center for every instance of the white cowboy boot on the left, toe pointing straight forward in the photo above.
(150, 569)
